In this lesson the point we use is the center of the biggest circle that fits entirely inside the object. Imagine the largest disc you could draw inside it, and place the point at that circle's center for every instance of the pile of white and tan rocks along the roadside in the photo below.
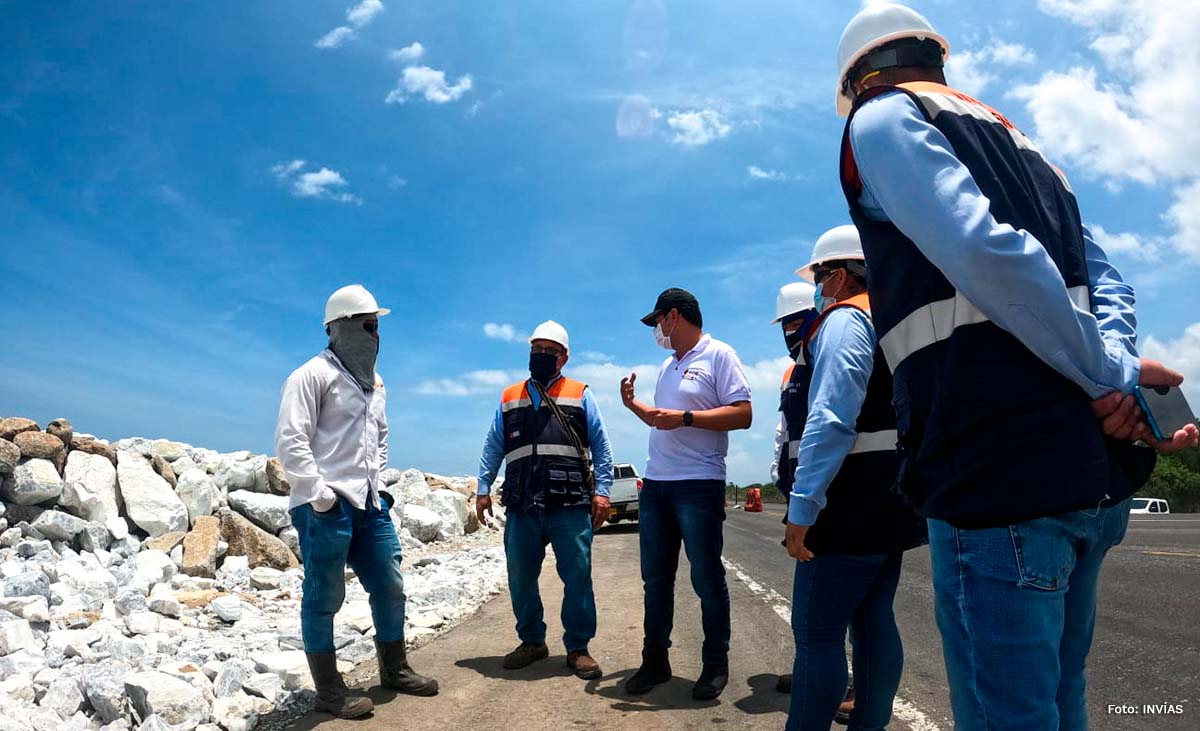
(153, 585)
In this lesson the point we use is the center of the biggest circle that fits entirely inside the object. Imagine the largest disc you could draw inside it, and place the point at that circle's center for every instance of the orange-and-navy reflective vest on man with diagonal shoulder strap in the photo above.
(543, 468)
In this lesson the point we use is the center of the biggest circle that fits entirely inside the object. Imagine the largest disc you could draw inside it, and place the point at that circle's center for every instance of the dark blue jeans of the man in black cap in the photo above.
(693, 513)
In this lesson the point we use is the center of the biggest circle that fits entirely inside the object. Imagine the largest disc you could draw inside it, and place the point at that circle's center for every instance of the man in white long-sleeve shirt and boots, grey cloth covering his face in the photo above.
(332, 440)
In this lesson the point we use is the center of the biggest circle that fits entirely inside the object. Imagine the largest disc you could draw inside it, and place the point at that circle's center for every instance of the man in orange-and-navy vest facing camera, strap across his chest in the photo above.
(549, 496)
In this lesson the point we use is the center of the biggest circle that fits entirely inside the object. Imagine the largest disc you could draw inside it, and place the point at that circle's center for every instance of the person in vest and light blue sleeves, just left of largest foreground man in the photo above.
(847, 528)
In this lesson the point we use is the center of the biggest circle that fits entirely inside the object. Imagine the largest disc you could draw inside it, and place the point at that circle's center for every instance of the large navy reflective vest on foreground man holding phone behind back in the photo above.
(989, 434)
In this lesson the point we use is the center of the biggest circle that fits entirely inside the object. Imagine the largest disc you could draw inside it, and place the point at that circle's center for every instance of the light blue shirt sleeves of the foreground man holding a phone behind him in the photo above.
(913, 178)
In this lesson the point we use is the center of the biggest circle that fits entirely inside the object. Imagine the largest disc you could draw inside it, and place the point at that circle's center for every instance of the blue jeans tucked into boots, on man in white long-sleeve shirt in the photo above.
(367, 542)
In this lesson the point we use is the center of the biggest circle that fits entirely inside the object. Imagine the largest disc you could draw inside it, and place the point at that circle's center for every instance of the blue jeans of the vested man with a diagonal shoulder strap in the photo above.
(569, 531)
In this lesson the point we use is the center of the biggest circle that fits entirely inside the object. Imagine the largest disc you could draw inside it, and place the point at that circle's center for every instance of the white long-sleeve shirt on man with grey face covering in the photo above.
(332, 436)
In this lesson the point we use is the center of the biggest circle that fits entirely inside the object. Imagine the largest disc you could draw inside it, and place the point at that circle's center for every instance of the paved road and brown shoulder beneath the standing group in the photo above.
(1145, 650)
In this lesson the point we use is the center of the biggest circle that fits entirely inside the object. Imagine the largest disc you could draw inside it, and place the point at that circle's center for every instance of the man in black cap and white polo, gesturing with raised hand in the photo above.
(703, 394)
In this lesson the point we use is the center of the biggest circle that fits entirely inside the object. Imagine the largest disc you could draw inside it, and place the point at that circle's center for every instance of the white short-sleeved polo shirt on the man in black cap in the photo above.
(710, 376)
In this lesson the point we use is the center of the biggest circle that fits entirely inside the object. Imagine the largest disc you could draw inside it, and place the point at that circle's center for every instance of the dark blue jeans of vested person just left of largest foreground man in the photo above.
(831, 594)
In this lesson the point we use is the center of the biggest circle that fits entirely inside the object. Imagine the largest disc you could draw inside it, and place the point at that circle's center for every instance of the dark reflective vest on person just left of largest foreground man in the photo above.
(863, 513)
